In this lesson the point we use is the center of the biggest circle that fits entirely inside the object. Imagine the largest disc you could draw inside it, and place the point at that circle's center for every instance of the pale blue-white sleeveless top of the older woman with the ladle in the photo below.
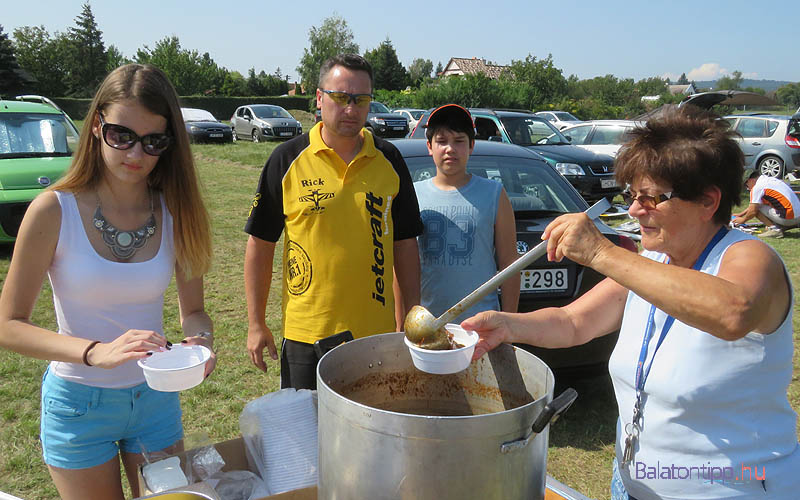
(716, 418)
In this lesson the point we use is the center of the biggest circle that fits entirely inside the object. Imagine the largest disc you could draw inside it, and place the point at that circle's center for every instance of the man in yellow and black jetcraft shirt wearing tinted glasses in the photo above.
(346, 203)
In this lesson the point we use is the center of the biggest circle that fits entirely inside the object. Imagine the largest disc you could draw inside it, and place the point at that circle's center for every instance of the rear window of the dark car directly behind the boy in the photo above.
(531, 186)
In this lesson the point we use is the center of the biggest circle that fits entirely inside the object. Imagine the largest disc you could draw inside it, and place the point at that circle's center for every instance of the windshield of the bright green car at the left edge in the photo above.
(24, 135)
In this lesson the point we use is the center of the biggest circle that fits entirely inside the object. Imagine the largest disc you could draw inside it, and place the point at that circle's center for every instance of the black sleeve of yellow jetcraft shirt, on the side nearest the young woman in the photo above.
(266, 218)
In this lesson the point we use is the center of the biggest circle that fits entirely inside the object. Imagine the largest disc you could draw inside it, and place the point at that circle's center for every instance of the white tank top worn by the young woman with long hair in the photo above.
(98, 299)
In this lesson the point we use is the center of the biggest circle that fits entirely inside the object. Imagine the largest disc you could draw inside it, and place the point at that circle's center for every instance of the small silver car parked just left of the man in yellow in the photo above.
(259, 122)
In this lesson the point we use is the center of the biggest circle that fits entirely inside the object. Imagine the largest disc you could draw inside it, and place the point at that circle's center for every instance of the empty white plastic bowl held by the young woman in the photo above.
(177, 369)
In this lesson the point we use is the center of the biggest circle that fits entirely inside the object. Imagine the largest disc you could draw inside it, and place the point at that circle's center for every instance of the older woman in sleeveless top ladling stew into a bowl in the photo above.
(704, 355)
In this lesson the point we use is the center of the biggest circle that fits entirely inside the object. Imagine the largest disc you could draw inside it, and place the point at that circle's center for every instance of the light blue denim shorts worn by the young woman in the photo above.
(84, 426)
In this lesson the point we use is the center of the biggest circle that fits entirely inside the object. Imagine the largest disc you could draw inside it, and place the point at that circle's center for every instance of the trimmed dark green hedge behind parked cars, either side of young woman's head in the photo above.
(221, 107)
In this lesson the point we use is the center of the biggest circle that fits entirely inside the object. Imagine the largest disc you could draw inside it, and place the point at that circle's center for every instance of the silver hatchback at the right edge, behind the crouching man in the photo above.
(766, 144)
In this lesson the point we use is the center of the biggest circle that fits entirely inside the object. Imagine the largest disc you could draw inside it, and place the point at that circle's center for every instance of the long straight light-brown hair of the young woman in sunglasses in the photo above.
(174, 174)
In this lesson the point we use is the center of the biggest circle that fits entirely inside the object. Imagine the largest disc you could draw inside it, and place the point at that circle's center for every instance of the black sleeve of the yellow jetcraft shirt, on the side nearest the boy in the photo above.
(405, 208)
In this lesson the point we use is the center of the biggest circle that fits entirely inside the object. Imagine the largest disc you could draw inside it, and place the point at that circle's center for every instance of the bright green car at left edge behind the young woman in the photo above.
(37, 140)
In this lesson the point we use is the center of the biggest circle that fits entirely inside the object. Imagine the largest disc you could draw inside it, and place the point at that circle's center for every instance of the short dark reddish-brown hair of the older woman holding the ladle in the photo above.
(690, 149)
